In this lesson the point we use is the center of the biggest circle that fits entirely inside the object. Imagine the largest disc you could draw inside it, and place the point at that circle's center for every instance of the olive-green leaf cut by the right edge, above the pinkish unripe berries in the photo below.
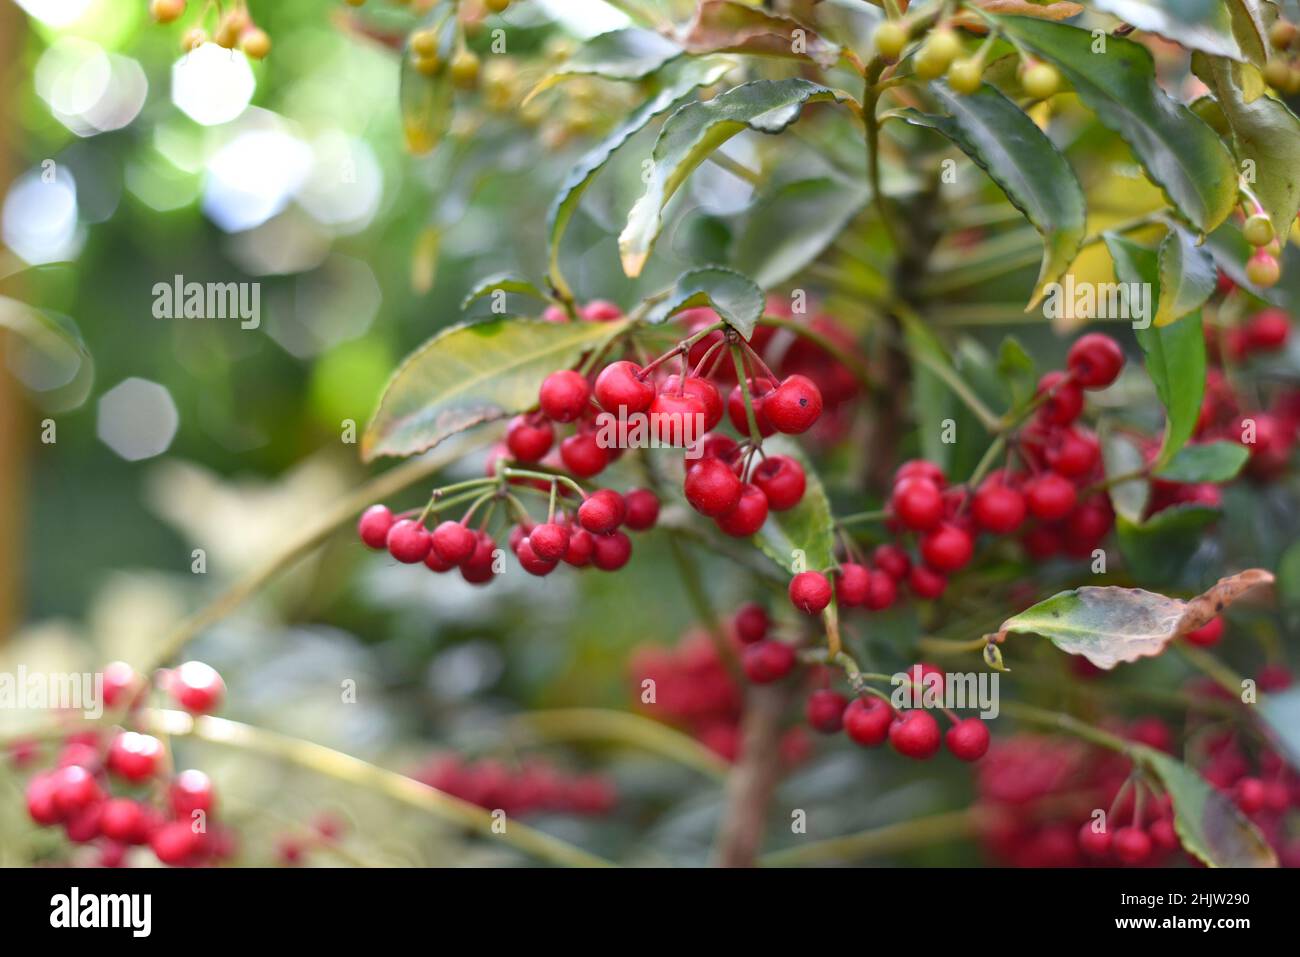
(1266, 133)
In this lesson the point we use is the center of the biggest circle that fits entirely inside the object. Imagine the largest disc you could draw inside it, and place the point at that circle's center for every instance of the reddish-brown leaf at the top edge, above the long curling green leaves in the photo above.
(727, 27)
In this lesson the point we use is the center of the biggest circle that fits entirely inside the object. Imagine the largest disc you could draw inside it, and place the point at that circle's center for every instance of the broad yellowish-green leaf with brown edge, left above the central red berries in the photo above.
(474, 374)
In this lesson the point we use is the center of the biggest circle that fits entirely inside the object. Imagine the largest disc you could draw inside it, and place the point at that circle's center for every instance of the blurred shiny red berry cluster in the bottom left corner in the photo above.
(79, 794)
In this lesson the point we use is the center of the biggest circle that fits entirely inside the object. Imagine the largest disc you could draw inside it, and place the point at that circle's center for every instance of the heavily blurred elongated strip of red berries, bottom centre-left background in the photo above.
(532, 789)
